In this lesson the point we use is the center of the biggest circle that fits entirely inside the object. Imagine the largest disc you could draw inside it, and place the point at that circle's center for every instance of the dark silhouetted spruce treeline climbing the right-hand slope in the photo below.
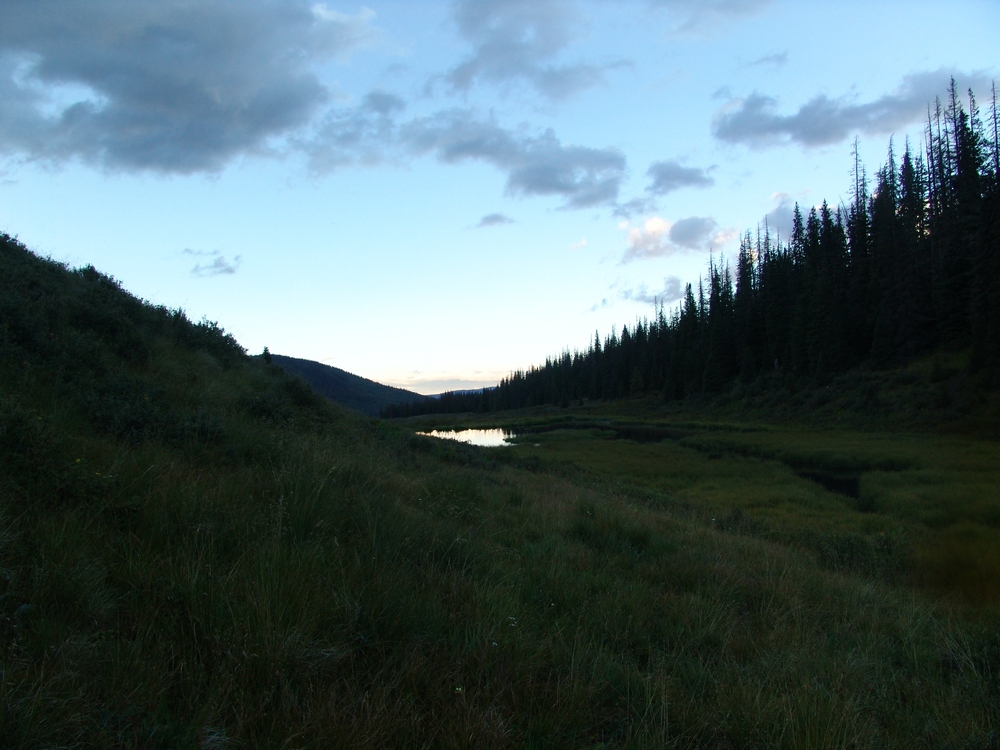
(911, 265)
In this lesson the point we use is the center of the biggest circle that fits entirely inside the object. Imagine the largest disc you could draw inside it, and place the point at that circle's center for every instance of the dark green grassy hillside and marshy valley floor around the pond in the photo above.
(197, 551)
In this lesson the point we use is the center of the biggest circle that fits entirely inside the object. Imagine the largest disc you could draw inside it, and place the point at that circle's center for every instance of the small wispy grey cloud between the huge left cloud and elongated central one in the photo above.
(360, 135)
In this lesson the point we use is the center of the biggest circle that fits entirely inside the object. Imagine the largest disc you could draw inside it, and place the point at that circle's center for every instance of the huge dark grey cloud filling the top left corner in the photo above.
(167, 86)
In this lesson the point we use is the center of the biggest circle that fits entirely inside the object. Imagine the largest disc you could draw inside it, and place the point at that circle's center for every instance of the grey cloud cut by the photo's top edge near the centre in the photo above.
(521, 40)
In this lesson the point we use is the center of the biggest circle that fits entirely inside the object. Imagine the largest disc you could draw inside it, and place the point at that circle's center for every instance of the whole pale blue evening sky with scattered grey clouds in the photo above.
(433, 194)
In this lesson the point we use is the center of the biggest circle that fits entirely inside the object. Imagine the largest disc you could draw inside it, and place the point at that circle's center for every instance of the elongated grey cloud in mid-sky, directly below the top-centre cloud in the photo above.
(535, 164)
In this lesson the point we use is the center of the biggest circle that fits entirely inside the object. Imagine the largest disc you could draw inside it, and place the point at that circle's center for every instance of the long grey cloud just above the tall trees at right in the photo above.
(754, 120)
